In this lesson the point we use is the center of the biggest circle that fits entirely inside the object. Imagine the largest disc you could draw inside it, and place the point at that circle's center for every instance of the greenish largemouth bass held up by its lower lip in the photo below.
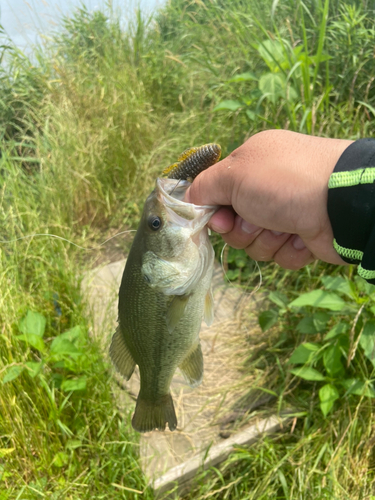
(165, 293)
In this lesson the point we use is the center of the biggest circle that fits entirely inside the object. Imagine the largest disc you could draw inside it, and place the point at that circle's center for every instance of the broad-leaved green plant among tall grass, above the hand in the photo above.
(291, 82)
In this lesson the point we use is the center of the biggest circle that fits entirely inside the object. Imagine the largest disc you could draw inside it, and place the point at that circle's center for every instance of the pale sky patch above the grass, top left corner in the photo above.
(26, 21)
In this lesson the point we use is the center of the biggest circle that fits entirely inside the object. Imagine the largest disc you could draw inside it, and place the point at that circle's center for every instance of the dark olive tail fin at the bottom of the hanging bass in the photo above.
(150, 415)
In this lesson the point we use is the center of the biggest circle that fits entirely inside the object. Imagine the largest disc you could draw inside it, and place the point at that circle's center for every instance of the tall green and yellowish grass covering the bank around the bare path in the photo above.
(86, 126)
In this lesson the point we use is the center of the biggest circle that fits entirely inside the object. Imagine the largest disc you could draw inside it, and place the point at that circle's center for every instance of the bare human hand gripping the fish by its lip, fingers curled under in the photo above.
(273, 191)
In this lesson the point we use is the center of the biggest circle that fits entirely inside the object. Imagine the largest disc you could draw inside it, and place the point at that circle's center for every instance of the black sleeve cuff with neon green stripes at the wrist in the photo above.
(351, 206)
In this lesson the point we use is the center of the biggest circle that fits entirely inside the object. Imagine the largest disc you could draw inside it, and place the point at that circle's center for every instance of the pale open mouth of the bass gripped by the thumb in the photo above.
(171, 193)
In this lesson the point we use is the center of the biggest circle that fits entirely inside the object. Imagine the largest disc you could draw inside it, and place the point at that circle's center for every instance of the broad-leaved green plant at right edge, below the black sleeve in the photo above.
(339, 321)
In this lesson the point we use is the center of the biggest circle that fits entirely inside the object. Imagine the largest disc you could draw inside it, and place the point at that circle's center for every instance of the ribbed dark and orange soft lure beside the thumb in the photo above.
(193, 161)
